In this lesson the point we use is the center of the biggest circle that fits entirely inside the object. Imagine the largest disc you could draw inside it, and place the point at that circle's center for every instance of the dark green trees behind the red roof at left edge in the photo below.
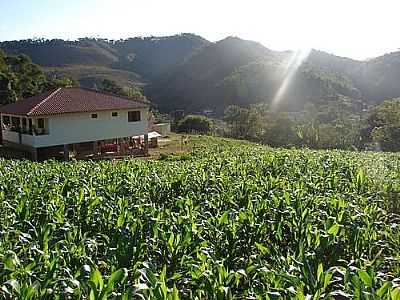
(20, 78)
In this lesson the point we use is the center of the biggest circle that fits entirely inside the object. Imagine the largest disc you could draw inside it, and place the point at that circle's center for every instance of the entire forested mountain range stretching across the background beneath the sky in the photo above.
(188, 72)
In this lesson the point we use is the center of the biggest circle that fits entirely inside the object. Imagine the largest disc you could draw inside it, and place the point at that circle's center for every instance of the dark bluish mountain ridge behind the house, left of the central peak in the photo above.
(133, 61)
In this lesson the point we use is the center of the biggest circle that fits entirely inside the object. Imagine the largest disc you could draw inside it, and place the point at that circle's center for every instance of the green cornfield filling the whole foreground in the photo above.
(229, 220)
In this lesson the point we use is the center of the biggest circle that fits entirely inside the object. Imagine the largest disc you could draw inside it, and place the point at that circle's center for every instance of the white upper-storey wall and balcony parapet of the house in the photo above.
(75, 128)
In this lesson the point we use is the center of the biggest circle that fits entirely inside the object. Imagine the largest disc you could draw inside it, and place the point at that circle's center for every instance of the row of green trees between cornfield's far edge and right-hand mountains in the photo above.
(335, 125)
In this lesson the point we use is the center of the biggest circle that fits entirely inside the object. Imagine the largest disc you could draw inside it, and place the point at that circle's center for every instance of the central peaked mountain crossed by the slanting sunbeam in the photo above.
(236, 71)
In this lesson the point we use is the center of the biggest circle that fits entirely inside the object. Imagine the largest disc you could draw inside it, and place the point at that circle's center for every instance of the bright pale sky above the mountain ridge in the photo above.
(359, 29)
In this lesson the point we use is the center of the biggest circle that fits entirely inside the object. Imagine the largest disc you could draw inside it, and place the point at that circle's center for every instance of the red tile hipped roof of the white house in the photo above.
(70, 100)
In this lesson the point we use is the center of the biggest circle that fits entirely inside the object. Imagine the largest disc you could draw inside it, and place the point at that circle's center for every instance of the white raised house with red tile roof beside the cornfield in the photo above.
(69, 116)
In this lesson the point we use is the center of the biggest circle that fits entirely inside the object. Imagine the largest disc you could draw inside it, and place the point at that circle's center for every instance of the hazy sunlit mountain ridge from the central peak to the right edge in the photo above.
(212, 80)
